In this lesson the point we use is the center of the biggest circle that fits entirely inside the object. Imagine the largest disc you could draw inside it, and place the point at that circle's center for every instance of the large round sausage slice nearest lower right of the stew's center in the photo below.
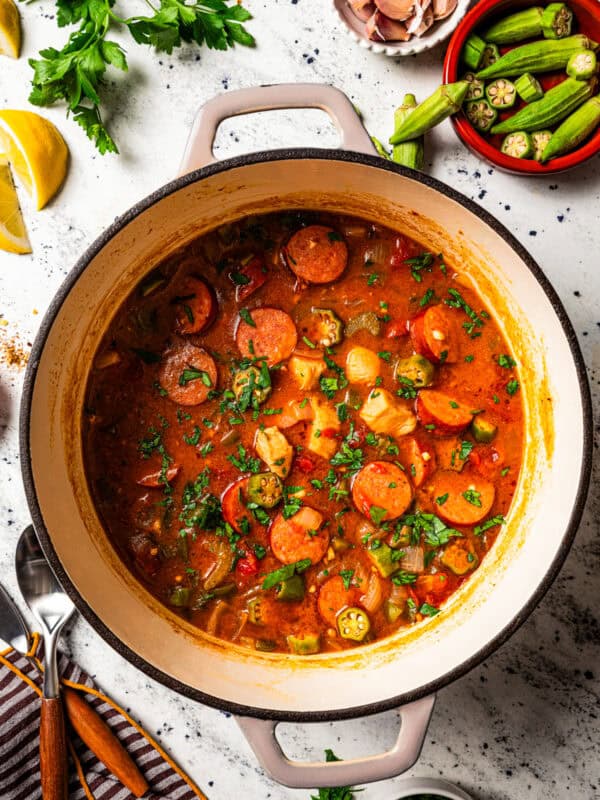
(381, 485)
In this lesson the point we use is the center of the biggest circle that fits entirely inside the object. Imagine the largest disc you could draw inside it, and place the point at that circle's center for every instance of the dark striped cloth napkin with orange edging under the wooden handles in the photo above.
(20, 690)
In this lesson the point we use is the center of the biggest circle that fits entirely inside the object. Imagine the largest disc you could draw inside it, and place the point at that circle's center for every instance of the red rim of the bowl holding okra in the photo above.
(471, 138)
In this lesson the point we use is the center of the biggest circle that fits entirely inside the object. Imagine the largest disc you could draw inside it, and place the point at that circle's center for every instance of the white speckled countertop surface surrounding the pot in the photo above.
(523, 725)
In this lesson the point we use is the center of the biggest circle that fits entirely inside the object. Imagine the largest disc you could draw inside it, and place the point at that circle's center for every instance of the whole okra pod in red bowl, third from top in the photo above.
(554, 106)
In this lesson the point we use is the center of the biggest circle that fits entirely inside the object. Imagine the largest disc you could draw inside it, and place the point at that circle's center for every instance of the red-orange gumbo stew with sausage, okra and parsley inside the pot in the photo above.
(303, 432)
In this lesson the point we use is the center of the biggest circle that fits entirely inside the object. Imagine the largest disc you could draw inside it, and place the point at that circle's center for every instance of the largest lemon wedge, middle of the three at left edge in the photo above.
(36, 151)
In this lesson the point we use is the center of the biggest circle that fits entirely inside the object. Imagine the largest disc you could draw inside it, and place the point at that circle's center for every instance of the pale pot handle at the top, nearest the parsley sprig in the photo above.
(199, 152)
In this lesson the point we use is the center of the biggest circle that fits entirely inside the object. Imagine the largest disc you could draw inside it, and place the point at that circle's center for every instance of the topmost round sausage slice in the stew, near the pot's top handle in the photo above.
(317, 254)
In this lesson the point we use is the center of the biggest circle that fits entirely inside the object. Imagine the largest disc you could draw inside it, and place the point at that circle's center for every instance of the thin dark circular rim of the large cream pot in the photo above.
(45, 539)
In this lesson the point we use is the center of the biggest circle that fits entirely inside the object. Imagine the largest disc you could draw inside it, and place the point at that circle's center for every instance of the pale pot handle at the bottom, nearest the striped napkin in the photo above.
(414, 720)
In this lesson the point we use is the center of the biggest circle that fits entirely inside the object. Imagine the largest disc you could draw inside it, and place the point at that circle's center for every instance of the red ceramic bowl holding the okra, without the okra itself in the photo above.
(587, 21)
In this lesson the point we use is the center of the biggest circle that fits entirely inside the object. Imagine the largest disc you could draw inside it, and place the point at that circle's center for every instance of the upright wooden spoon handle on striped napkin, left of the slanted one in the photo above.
(53, 750)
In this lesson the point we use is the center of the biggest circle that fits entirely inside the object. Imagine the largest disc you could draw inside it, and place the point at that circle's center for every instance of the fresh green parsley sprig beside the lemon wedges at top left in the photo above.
(75, 73)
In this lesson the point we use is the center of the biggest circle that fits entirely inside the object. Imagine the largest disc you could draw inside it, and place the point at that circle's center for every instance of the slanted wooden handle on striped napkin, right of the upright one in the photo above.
(102, 742)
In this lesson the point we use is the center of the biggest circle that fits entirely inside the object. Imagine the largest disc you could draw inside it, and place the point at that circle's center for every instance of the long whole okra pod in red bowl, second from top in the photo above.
(544, 56)
